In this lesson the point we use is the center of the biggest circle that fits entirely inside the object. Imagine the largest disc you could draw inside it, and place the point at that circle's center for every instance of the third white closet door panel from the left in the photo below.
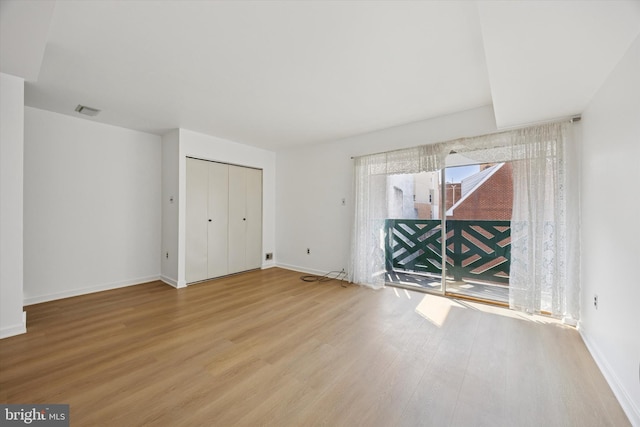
(237, 219)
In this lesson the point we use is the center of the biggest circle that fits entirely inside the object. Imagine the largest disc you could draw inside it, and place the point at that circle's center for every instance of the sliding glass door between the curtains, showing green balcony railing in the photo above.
(473, 204)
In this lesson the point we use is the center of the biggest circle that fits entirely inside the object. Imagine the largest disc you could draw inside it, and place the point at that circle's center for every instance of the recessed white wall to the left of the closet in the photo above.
(91, 206)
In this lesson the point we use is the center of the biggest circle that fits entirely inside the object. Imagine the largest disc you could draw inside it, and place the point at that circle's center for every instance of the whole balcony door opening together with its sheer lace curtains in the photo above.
(396, 243)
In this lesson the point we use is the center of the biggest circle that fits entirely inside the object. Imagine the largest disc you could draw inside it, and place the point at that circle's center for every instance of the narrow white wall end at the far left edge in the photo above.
(12, 320)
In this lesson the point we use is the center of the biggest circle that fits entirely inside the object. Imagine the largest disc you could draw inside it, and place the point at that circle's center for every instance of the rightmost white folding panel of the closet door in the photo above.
(254, 219)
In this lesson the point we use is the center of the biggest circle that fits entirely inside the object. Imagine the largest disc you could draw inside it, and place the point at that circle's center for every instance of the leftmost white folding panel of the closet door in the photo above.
(196, 214)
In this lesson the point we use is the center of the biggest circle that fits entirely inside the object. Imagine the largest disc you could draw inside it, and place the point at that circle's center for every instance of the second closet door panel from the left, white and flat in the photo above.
(218, 219)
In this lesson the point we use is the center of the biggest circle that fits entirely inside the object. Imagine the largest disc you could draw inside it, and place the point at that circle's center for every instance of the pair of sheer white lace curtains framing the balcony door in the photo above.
(545, 267)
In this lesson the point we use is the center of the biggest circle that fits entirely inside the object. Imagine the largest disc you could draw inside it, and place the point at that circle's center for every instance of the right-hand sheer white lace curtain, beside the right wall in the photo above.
(545, 222)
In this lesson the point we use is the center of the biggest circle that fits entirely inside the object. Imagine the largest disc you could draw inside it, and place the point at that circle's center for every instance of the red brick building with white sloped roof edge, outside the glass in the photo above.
(491, 198)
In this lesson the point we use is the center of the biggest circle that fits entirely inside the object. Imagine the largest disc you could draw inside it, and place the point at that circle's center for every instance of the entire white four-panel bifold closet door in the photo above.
(223, 219)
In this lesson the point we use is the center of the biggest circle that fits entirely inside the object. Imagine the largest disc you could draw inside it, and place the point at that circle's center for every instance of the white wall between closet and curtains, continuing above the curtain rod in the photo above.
(312, 181)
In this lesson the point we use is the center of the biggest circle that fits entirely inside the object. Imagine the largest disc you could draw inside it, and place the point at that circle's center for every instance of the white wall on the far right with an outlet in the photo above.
(611, 230)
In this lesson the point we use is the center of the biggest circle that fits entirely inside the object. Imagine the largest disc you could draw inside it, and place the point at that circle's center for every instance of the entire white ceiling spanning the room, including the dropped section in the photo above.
(280, 73)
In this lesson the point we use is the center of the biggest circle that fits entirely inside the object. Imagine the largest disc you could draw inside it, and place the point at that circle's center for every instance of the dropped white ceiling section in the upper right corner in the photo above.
(546, 59)
